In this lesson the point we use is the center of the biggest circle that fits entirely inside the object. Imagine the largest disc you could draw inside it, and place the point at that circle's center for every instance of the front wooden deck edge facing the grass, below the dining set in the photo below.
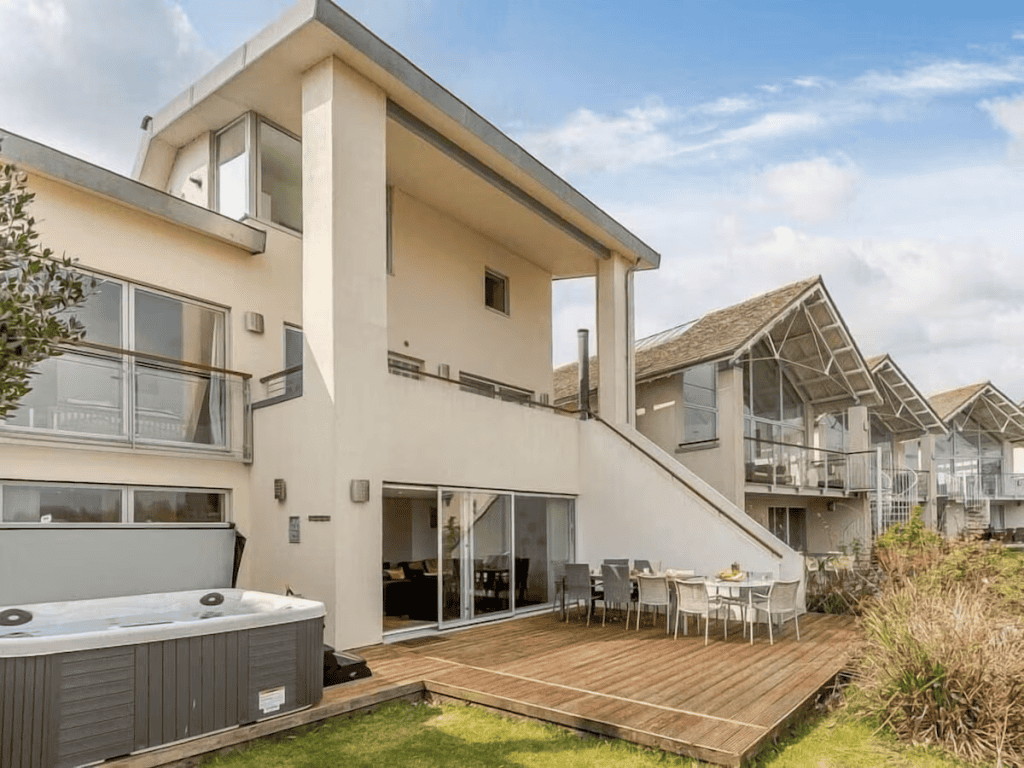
(580, 723)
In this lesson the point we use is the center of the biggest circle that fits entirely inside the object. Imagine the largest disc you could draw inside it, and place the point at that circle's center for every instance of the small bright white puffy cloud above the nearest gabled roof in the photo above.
(812, 191)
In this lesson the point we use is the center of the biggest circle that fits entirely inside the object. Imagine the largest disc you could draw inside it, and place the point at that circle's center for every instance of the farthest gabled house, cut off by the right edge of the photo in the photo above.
(972, 467)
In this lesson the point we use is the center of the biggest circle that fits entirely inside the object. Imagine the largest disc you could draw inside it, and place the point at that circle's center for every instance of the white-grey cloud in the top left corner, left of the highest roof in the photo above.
(80, 76)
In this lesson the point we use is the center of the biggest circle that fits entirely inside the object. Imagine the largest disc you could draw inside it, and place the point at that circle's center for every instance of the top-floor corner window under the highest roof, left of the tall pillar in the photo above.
(259, 173)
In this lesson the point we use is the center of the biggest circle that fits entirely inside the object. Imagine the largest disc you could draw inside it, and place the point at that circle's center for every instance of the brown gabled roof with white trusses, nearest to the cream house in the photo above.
(798, 323)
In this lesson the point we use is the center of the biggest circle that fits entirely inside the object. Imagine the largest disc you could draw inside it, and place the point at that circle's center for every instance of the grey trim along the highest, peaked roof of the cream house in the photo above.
(395, 64)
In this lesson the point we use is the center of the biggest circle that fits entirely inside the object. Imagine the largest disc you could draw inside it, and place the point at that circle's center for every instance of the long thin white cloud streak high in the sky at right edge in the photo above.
(944, 77)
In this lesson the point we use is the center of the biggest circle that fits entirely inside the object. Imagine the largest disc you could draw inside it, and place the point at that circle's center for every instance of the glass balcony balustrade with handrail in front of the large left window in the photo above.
(102, 394)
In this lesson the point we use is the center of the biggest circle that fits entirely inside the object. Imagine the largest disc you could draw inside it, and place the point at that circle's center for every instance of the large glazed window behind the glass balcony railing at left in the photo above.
(149, 398)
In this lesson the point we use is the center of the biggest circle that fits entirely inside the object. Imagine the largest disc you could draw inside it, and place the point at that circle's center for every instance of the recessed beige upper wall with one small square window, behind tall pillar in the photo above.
(436, 302)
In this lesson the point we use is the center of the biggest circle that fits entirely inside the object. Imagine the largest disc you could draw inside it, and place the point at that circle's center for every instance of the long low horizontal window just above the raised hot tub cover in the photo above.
(62, 503)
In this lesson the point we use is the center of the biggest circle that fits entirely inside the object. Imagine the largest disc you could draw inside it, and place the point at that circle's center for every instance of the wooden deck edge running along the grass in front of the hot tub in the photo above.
(186, 753)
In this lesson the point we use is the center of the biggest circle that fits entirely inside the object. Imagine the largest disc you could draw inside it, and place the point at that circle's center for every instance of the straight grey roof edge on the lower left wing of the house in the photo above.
(57, 165)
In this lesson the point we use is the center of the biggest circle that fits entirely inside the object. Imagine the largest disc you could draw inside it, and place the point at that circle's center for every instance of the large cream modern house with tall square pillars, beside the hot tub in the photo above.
(324, 318)
